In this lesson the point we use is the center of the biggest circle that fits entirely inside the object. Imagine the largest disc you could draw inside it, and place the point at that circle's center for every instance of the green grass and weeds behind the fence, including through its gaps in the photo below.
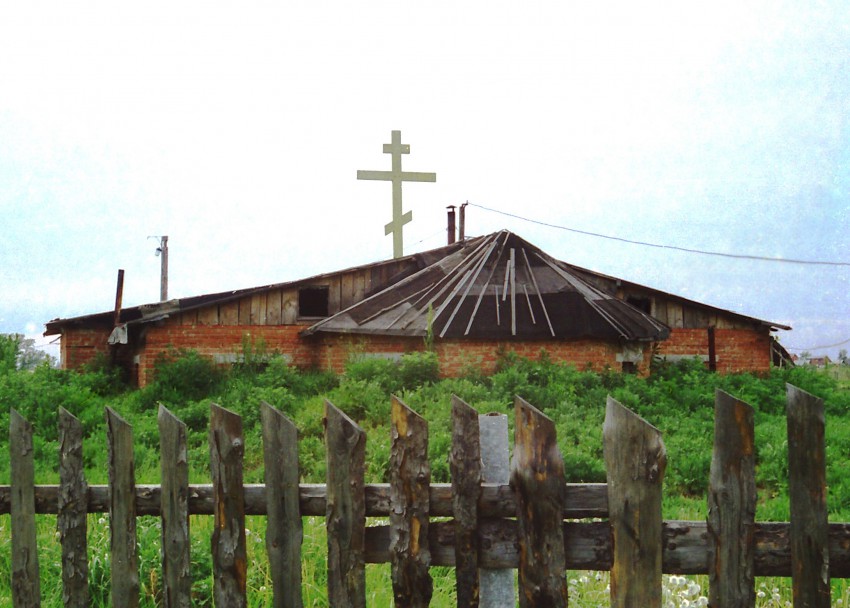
(678, 401)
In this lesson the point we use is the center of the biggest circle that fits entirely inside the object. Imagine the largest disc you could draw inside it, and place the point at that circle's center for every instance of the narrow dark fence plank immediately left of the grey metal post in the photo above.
(465, 466)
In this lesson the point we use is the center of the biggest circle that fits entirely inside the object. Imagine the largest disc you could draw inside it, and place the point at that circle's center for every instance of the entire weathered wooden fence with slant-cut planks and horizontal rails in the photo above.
(537, 524)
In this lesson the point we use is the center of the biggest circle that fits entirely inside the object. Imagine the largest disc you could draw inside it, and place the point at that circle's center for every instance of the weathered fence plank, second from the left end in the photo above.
(71, 516)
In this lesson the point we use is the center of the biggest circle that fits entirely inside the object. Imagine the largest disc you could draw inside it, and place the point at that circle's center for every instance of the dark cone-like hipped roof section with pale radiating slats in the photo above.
(497, 286)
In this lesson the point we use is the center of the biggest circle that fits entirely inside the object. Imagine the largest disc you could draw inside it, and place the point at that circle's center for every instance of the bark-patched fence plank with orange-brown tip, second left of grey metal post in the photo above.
(410, 476)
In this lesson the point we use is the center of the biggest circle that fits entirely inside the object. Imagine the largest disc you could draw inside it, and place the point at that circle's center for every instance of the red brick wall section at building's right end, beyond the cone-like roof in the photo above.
(737, 350)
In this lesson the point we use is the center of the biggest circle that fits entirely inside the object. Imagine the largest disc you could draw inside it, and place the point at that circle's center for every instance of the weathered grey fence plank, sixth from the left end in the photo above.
(284, 532)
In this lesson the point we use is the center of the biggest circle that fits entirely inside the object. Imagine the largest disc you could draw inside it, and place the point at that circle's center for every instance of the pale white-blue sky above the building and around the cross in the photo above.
(237, 129)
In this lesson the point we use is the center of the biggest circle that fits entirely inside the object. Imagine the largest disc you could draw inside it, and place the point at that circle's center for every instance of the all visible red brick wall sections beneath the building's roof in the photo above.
(737, 349)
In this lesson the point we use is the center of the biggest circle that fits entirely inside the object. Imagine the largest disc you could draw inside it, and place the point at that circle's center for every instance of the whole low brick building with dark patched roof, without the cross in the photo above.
(472, 300)
